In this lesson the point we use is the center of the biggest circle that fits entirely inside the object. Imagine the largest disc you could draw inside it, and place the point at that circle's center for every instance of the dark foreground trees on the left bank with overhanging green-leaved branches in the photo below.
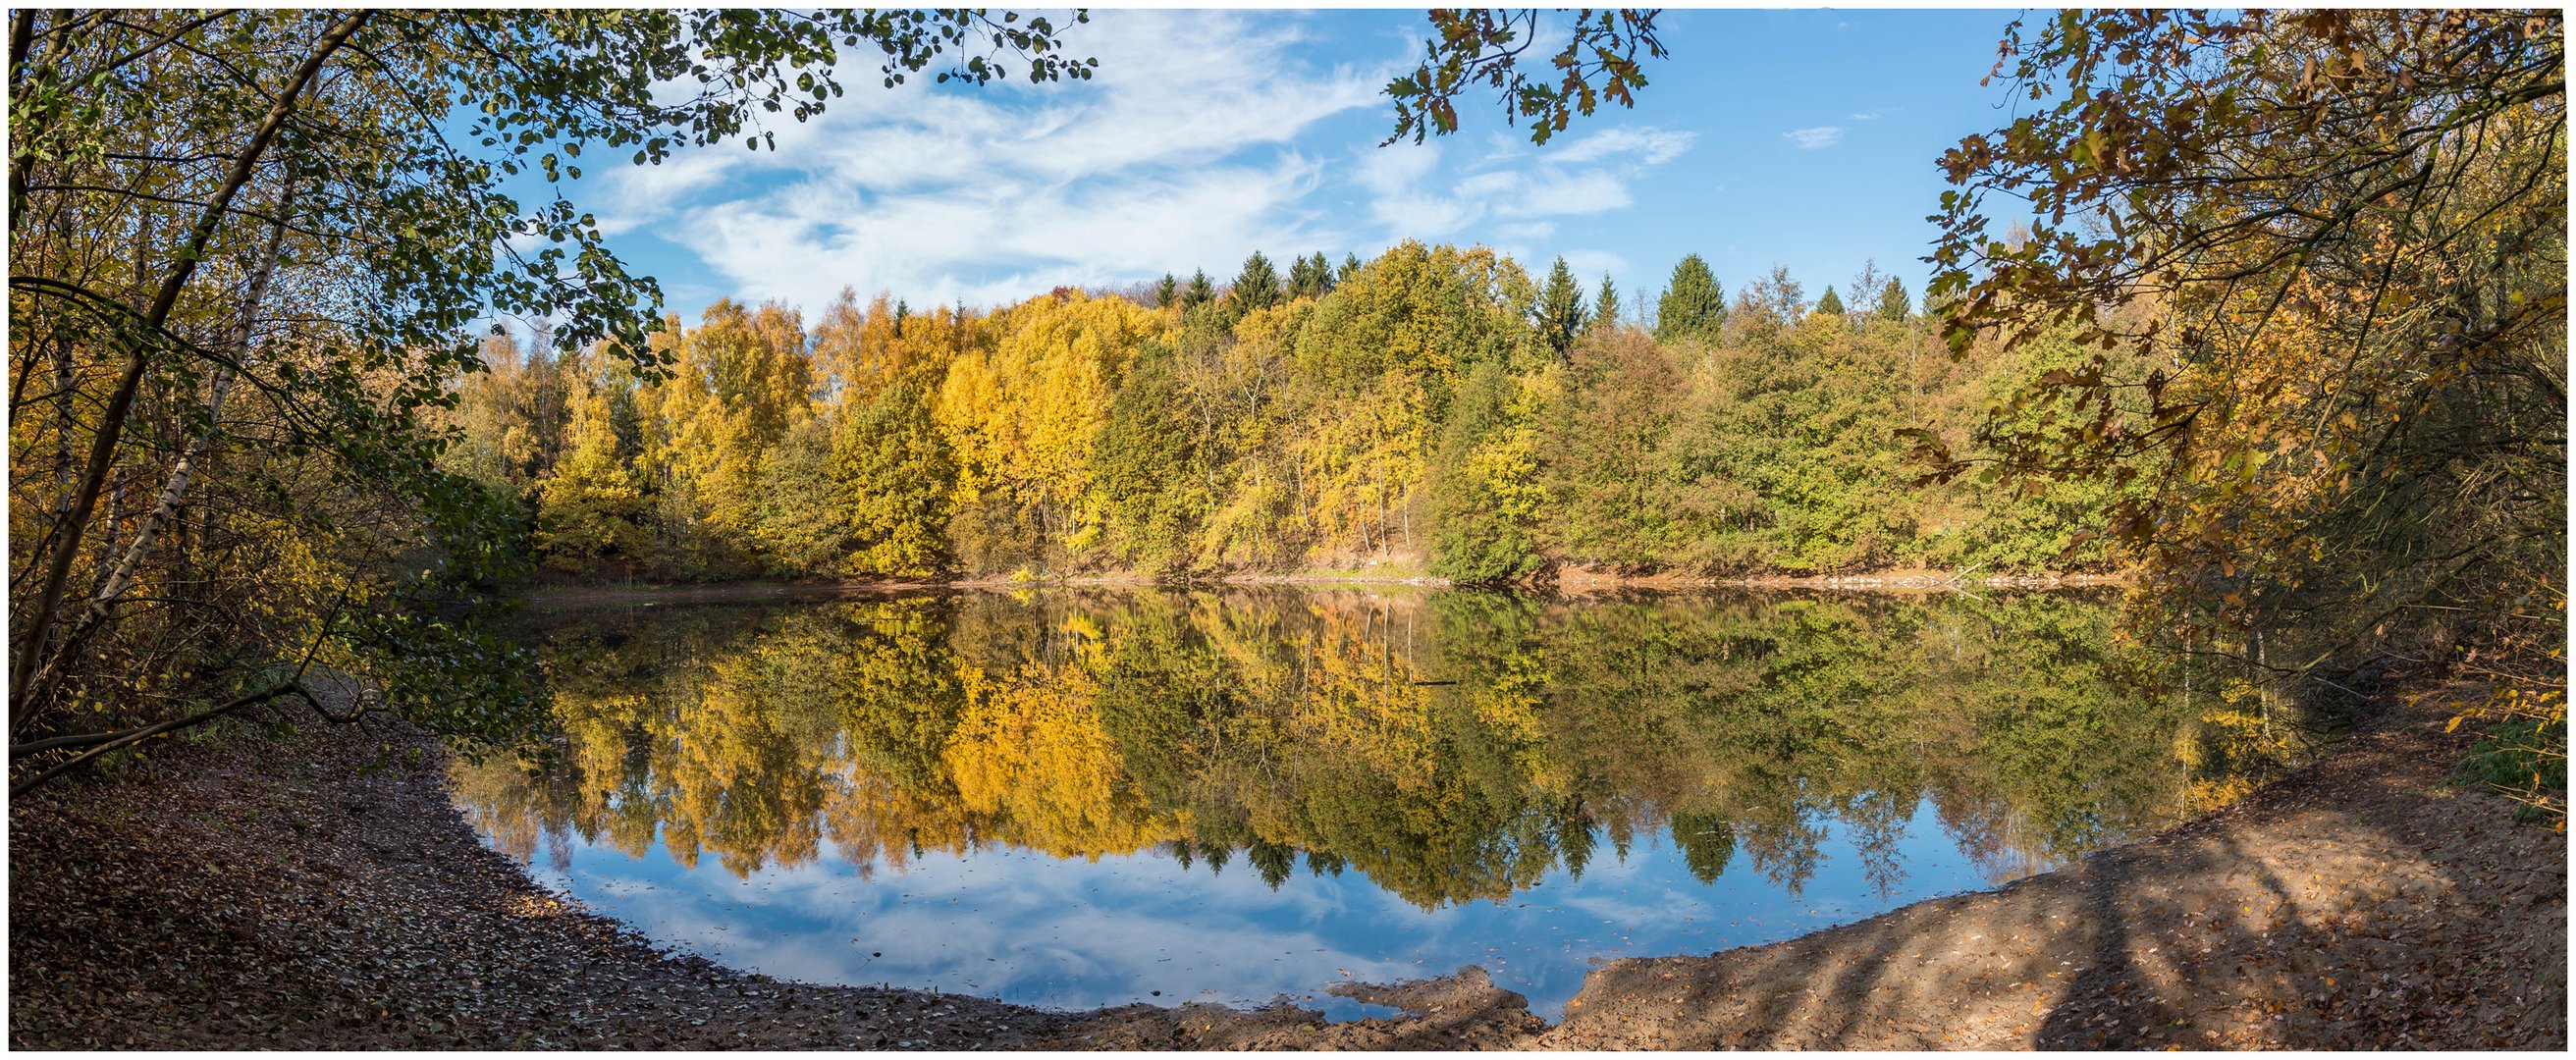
(321, 217)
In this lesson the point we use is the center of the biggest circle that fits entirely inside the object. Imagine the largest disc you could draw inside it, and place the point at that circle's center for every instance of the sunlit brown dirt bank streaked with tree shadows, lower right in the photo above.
(2356, 904)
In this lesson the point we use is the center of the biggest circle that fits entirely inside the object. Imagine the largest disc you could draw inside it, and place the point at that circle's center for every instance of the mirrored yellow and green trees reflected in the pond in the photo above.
(1446, 745)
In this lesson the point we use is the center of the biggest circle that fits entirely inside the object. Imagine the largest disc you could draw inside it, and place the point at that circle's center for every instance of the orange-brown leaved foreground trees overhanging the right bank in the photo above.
(2338, 243)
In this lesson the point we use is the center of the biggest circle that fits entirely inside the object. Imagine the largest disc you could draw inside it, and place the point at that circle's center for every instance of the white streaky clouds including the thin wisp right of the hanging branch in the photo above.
(1191, 148)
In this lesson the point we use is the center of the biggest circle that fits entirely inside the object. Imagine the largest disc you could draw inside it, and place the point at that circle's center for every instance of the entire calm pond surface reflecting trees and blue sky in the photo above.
(1096, 799)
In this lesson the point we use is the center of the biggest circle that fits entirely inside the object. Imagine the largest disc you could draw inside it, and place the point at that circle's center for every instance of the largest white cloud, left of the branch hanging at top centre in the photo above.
(1176, 156)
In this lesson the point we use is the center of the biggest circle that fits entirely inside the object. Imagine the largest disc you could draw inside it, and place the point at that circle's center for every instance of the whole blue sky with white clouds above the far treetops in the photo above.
(1771, 138)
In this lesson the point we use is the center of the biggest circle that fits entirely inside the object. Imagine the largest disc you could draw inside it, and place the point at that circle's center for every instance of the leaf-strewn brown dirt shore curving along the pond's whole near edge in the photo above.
(261, 891)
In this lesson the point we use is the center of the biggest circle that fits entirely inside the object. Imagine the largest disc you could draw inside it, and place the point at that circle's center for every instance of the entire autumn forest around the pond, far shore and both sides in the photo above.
(2260, 310)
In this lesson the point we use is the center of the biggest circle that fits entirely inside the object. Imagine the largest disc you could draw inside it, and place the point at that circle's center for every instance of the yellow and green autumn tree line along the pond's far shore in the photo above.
(1431, 410)
